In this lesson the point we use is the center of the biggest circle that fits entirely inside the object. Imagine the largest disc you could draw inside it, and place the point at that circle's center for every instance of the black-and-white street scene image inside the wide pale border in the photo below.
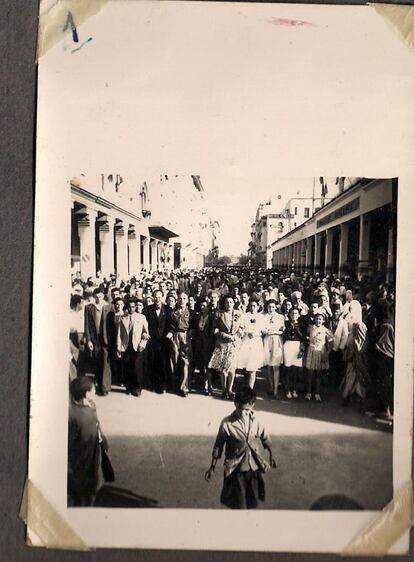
(210, 351)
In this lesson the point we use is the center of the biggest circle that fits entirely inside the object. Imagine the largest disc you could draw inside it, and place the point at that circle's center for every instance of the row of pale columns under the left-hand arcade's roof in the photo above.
(119, 242)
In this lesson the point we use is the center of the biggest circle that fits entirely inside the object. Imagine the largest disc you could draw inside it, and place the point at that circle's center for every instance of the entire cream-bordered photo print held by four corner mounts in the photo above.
(222, 327)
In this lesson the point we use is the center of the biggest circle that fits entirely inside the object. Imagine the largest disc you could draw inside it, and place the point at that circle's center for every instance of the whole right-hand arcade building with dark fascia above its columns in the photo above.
(354, 234)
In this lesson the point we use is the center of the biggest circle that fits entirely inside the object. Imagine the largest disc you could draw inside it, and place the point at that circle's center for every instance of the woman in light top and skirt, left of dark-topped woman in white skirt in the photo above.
(273, 344)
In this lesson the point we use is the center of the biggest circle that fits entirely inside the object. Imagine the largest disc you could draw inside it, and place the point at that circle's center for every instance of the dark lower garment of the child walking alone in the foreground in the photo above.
(243, 490)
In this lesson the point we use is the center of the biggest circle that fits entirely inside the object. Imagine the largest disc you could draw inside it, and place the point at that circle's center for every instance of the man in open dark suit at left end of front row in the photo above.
(96, 336)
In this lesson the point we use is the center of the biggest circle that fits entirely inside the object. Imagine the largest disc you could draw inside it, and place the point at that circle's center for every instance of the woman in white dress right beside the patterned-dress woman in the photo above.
(251, 350)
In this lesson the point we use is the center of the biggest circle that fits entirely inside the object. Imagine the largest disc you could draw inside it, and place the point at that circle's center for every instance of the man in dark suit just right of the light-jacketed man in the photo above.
(158, 344)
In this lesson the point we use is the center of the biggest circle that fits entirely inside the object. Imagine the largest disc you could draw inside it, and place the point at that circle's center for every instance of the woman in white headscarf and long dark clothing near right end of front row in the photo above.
(356, 379)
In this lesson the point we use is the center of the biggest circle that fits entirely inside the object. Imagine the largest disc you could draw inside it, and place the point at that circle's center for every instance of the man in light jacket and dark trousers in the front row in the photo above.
(131, 342)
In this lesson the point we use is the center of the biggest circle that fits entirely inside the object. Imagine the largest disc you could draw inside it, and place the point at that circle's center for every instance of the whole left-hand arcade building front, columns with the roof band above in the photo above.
(109, 239)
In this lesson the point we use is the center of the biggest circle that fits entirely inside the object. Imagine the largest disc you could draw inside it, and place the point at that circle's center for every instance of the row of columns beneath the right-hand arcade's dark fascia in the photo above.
(305, 255)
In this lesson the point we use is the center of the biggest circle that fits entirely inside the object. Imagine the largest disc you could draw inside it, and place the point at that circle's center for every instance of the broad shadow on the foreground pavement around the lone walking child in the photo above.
(313, 471)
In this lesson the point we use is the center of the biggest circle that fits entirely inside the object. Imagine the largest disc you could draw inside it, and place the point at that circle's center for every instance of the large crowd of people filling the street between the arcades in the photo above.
(185, 331)
